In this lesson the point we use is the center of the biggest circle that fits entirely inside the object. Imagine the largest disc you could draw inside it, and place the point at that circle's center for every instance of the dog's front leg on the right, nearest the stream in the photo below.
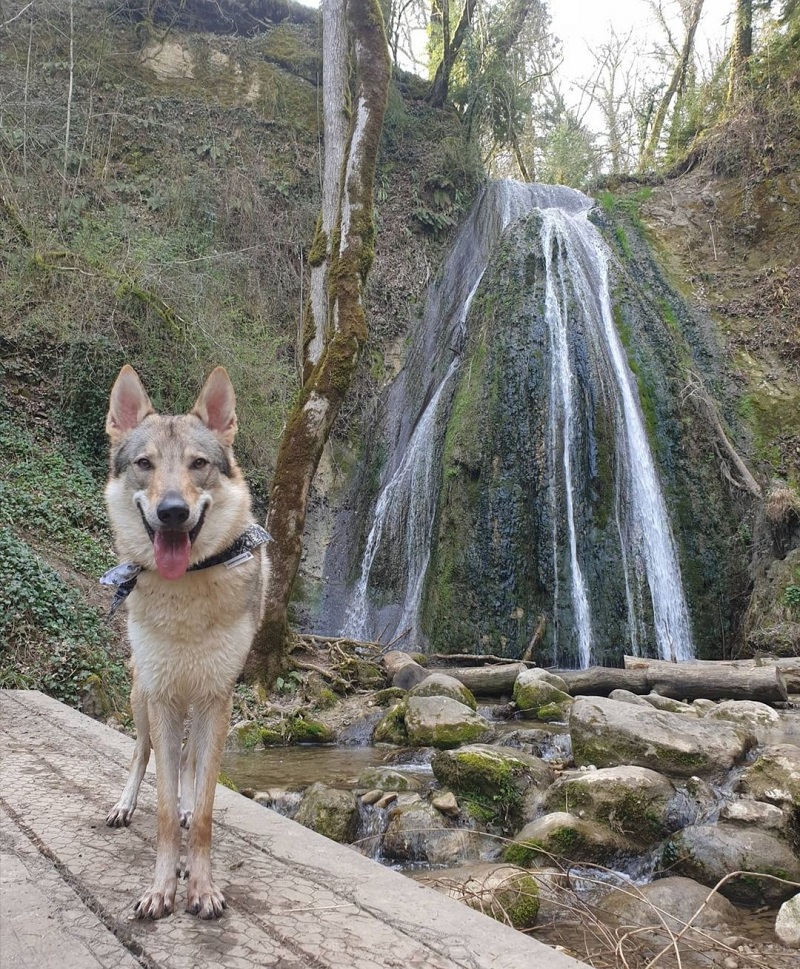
(209, 728)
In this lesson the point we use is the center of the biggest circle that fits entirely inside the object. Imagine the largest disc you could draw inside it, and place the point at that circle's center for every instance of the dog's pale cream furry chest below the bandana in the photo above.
(190, 638)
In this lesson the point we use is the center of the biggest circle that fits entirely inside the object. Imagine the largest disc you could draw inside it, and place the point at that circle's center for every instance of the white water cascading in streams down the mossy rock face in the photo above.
(587, 365)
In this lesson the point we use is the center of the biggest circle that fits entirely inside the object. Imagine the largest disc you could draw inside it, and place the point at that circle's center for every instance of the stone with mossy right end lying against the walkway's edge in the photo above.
(505, 892)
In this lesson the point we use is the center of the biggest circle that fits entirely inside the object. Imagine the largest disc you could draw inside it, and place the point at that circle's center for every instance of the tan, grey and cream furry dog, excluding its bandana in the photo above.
(175, 496)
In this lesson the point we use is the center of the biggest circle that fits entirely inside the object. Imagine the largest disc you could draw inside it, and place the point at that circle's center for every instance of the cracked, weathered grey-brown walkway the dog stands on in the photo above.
(295, 900)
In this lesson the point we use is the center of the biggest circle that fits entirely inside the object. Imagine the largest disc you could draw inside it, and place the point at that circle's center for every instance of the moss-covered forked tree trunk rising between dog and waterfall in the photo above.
(356, 64)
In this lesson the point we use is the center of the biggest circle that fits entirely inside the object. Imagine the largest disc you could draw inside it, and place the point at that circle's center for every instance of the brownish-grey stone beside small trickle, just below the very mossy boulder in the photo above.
(417, 832)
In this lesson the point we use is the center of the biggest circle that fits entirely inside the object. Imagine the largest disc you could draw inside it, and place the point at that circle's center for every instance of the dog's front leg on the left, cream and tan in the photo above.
(166, 730)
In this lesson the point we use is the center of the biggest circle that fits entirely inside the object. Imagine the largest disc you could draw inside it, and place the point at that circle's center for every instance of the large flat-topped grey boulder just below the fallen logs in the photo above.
(608, 734)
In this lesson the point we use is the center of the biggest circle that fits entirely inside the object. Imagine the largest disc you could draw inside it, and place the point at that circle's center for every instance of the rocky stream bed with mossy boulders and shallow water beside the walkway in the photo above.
(625, 828)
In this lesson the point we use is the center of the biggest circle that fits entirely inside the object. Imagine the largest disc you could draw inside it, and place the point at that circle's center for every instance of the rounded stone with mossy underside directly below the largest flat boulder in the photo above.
(632, 800)
